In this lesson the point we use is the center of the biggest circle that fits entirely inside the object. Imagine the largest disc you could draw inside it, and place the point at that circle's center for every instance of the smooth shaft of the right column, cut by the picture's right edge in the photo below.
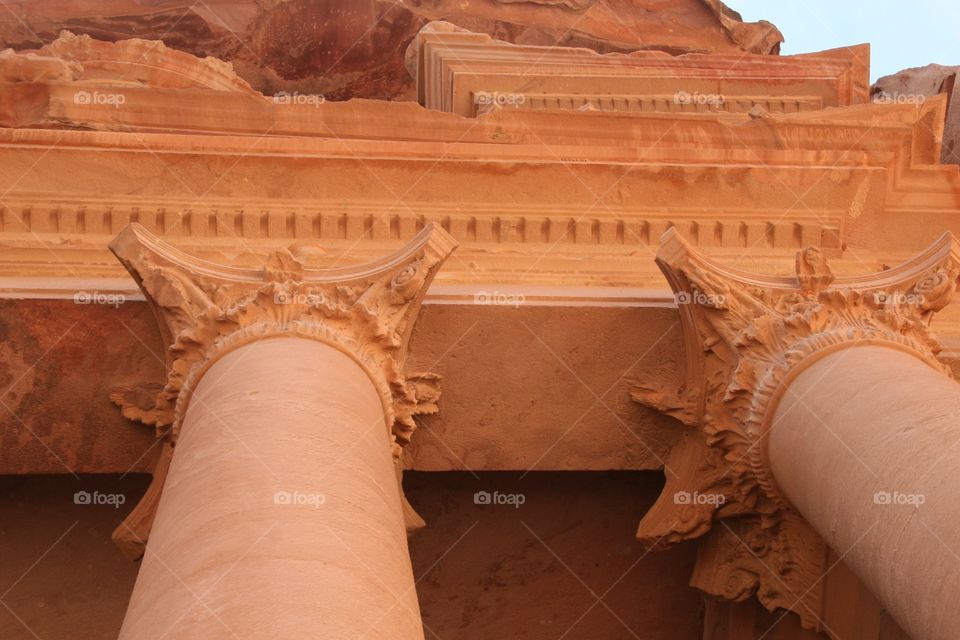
(864, 443)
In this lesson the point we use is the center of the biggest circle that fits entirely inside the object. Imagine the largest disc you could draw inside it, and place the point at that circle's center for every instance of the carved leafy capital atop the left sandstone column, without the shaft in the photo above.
(205, 310)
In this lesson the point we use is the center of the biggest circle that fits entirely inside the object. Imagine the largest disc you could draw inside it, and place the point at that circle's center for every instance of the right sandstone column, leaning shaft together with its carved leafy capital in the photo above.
(819, 415)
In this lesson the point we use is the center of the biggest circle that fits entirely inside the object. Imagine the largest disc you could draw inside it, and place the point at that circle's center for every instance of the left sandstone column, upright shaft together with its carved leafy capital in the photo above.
(276, 511)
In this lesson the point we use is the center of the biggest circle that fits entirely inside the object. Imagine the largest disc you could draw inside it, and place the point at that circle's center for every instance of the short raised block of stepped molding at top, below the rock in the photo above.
(453, 67)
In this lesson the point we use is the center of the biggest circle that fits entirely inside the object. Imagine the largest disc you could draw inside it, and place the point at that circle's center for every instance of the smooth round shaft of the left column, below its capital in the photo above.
(281, 515)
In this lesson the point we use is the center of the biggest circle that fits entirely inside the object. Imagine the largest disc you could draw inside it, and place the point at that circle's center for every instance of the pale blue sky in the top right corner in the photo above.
(902, 33)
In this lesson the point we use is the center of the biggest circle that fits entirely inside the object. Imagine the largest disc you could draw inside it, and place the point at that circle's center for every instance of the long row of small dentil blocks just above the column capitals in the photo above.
(225, 220)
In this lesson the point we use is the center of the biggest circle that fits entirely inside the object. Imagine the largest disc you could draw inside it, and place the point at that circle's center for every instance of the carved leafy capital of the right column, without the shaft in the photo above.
(746, 337)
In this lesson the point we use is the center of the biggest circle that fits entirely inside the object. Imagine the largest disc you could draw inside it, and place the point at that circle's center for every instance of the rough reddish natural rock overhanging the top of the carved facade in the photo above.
(355, 48)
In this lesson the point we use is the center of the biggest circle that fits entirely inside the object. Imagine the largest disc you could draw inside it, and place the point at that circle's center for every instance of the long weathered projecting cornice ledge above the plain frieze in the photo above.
(837, 136)
